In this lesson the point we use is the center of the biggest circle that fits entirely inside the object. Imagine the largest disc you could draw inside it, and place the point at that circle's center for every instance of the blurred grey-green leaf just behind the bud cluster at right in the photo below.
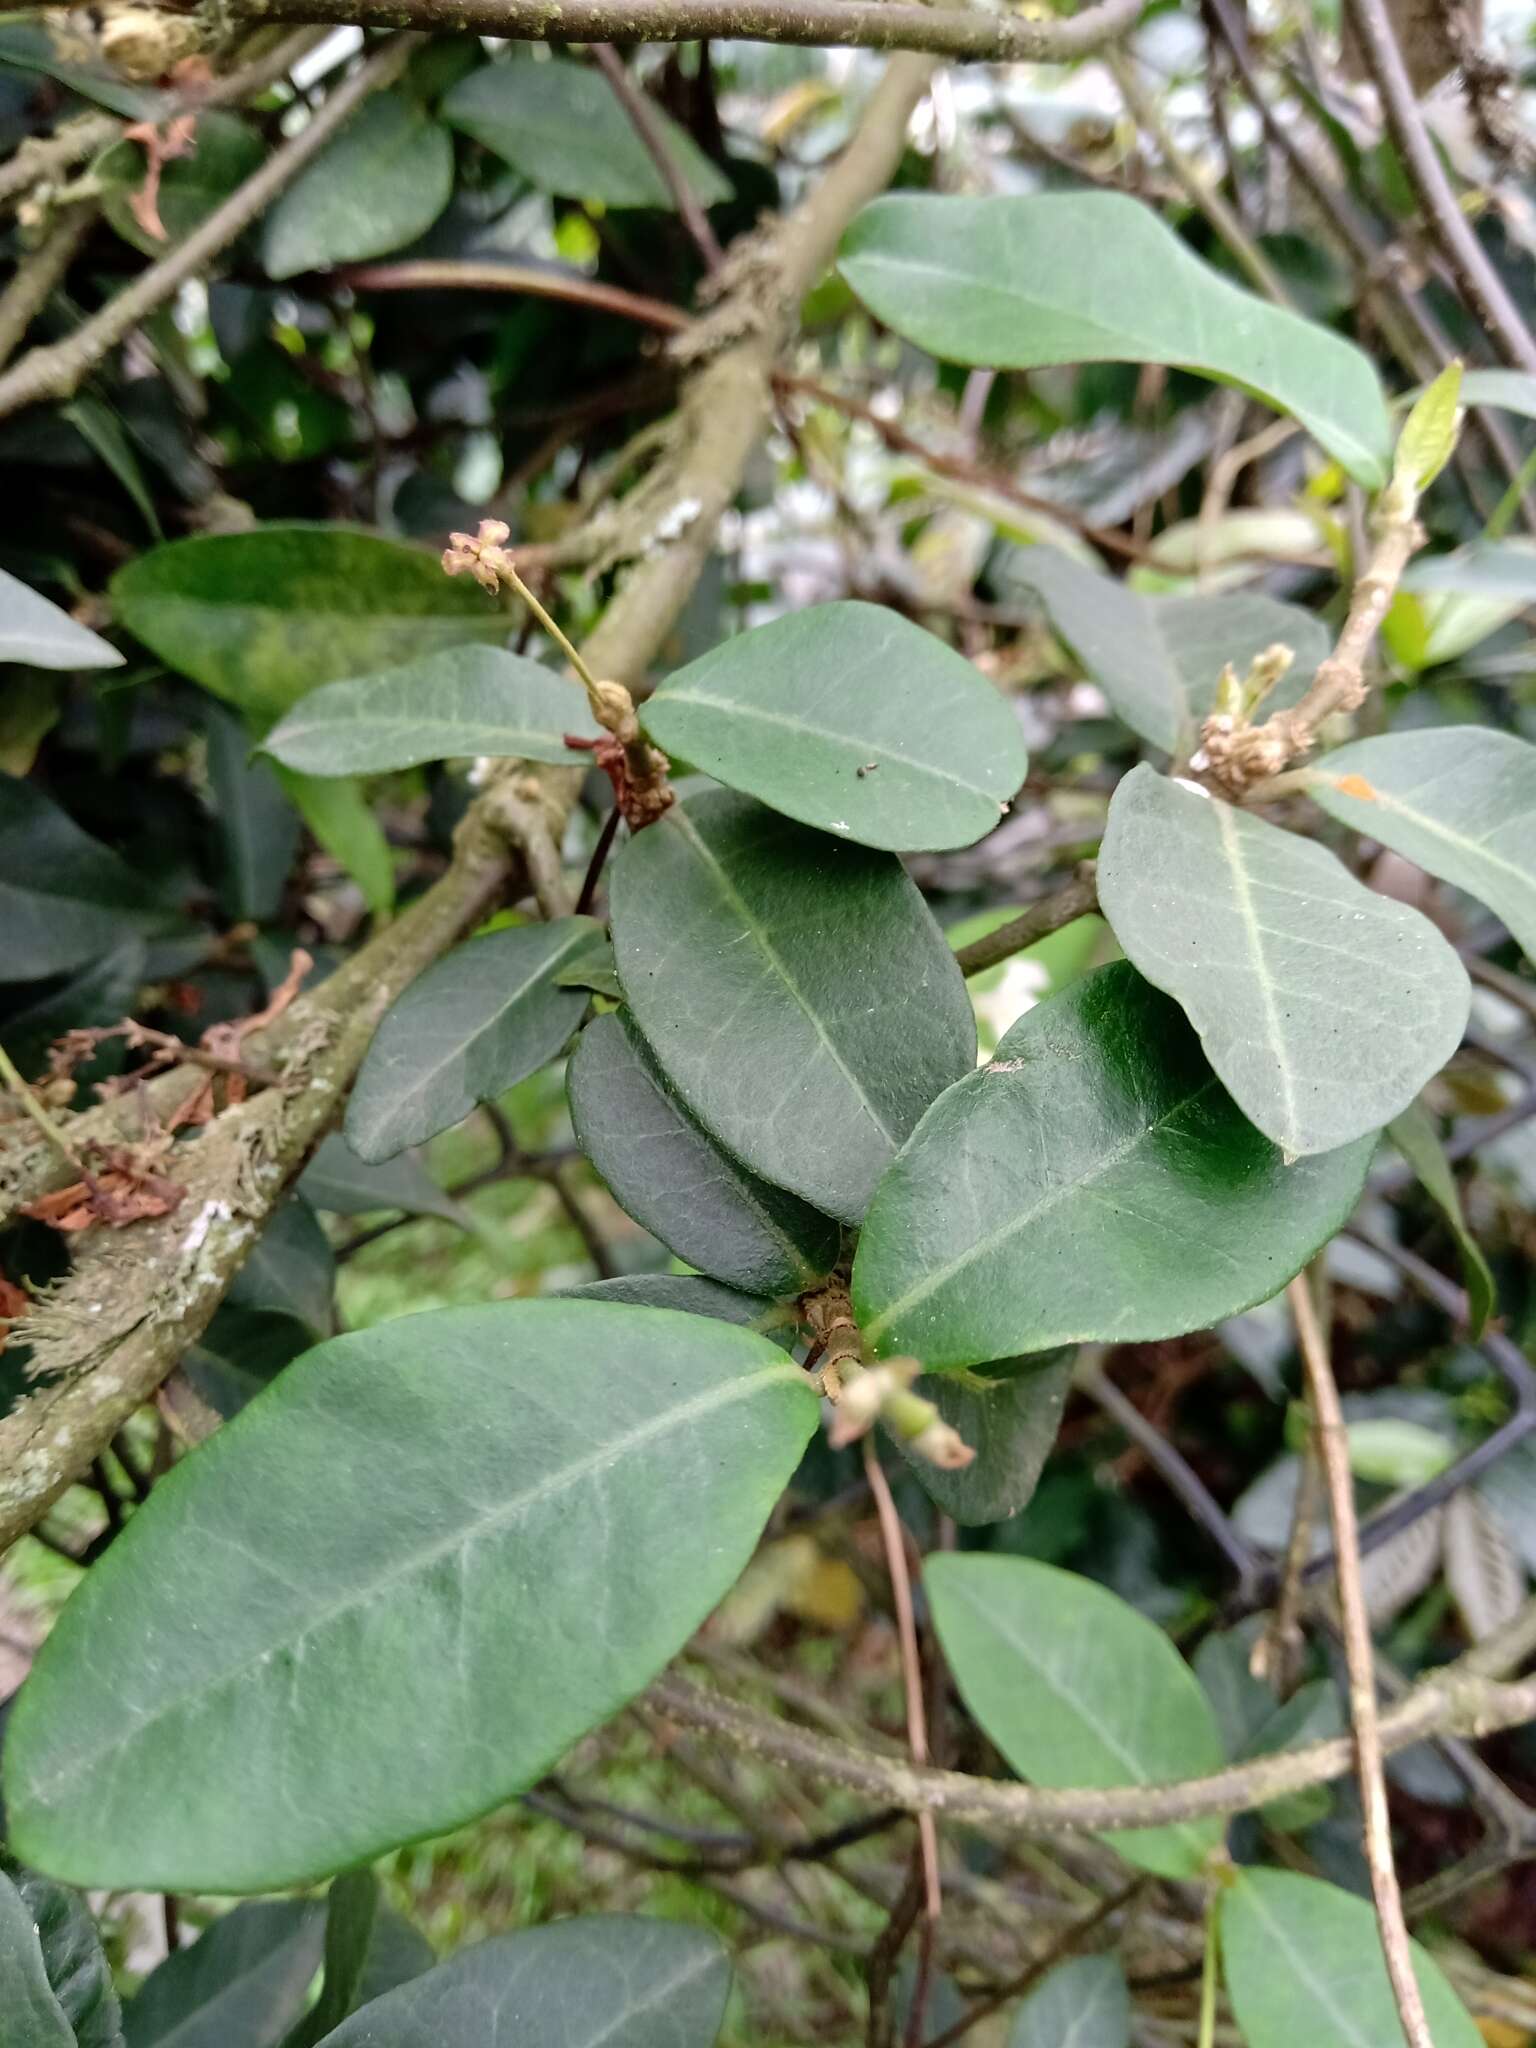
(1158, 660)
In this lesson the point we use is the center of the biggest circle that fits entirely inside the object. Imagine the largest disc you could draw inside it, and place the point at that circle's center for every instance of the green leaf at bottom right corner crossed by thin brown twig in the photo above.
(1304, 1963)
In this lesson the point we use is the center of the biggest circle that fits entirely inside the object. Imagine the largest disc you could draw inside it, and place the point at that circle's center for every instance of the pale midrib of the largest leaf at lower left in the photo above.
(613, 1451)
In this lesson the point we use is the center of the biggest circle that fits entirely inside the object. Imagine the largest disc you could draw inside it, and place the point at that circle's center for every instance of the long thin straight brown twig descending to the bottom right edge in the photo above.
(1359, 1658)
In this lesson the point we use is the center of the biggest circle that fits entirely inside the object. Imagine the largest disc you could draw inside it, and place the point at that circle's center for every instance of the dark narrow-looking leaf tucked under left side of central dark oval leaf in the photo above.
(675, 1179)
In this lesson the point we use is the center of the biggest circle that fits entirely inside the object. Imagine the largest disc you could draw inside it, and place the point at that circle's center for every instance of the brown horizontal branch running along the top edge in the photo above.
(941, 32)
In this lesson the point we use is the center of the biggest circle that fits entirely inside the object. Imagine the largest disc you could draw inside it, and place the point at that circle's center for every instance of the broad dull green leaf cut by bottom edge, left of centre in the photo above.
(585, 1983)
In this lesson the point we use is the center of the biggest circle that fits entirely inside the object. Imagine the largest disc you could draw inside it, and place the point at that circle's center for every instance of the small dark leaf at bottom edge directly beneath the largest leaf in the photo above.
(241, 1986)
